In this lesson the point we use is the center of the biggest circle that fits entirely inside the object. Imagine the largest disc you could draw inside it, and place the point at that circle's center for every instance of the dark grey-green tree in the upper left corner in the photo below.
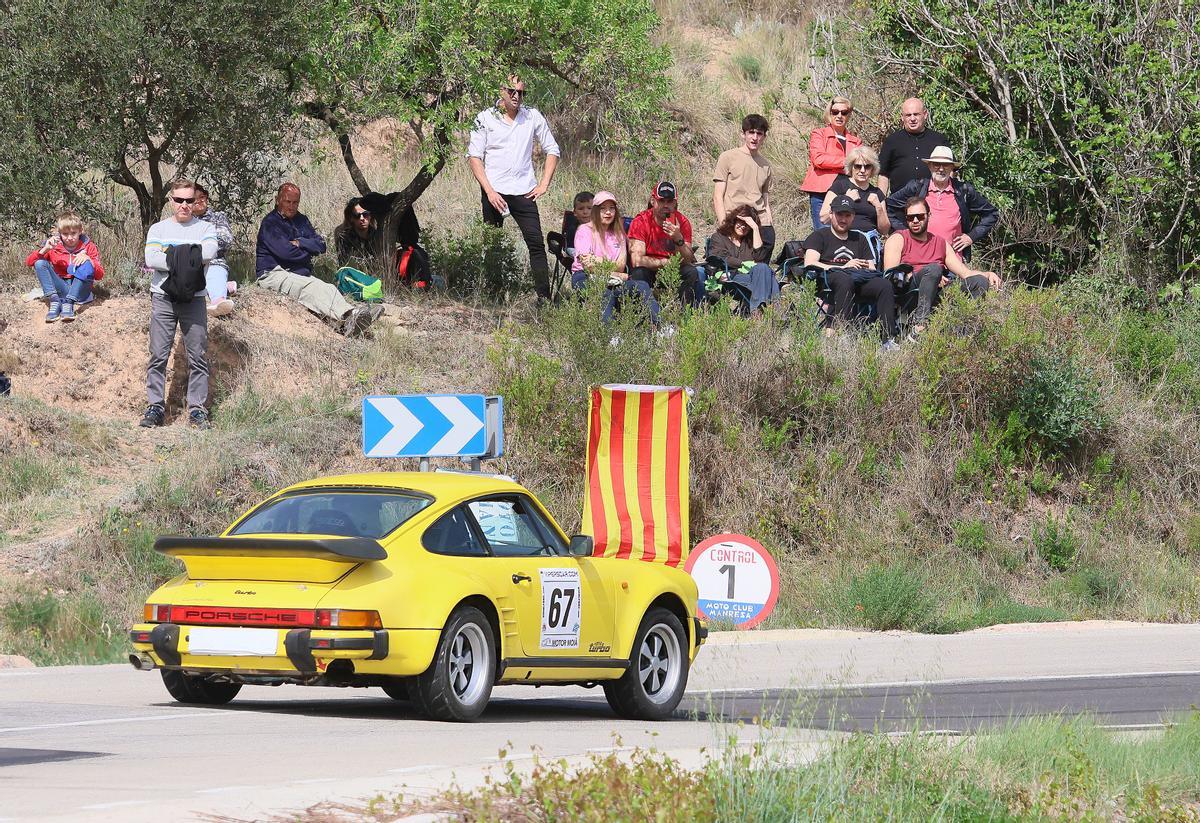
(137, 93)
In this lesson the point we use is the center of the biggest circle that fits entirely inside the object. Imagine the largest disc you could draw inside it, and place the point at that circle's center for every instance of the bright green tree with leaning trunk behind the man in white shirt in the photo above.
(433, 64)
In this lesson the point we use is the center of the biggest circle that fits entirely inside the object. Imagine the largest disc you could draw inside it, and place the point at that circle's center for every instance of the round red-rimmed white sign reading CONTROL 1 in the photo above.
(737, 580)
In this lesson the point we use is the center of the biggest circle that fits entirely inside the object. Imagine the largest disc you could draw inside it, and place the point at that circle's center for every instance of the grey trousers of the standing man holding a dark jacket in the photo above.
(193, 320)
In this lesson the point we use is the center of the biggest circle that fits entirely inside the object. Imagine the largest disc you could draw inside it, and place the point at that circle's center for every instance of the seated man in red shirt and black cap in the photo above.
(657, 236)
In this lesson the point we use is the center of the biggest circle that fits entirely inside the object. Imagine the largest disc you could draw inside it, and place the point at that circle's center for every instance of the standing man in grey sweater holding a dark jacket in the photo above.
(182, 229)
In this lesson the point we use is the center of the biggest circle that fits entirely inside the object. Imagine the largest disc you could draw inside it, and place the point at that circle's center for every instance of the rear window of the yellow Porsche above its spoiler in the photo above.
(341, 513)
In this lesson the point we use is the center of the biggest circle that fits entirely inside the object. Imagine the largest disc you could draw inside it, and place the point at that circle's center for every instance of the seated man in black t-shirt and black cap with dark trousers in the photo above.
(849, 266)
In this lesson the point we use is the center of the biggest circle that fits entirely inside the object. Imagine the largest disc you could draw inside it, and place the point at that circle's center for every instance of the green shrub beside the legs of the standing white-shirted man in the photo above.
(482, 265)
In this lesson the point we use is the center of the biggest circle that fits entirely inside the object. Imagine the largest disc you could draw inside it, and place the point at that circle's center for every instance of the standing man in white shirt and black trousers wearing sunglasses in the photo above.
(501, 157)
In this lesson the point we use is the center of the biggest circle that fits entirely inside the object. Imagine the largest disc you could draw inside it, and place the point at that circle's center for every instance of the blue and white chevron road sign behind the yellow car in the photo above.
(433, 426)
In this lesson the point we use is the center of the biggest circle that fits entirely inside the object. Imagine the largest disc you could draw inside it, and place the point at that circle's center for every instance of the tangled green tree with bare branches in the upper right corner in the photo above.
(1088, 111)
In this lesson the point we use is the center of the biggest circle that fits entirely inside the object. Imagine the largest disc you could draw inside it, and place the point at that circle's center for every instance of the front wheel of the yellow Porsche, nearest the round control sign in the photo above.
(653, 686)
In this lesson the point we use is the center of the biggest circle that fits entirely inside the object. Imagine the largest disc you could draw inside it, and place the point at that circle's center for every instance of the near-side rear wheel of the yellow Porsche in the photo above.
(459, 682)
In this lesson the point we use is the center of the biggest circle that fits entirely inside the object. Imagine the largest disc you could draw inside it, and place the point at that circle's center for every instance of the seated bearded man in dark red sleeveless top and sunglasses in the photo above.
(934, 263)
